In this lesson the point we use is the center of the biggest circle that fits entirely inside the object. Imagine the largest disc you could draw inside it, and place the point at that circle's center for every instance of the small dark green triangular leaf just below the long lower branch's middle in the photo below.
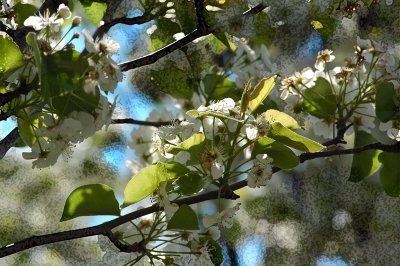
(183, 219)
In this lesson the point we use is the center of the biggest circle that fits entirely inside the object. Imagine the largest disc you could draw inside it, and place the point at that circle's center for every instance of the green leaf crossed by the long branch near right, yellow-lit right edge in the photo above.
(365, 163)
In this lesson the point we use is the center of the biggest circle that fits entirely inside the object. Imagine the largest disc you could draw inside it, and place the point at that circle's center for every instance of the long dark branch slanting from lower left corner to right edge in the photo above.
(105, 228)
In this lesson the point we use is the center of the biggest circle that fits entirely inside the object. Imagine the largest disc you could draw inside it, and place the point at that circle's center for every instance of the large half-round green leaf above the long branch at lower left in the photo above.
(88, 200)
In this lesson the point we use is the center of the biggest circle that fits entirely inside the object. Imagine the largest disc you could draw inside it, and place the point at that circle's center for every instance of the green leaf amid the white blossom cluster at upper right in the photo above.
(319, 100)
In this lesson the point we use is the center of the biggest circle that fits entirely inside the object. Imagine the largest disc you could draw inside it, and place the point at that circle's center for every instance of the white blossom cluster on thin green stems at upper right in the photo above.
(353, 84)
